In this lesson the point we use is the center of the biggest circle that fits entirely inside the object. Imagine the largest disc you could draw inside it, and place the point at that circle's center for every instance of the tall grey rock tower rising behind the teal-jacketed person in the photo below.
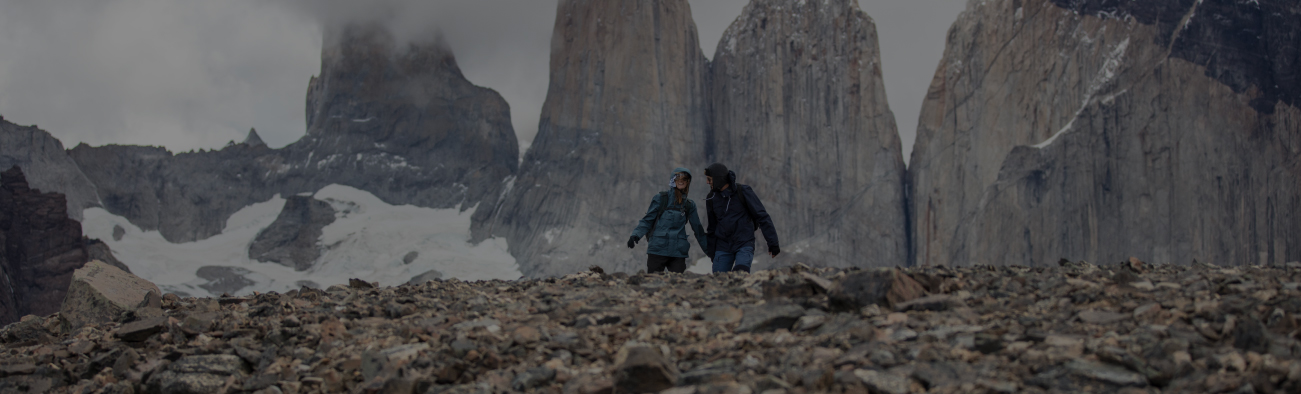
(628, 103)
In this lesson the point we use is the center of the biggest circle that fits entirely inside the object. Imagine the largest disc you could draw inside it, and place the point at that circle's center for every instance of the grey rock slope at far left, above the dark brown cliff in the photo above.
(46, 166)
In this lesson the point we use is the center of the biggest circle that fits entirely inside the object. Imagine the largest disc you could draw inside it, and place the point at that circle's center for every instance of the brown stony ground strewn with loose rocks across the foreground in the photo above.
(1077, 327)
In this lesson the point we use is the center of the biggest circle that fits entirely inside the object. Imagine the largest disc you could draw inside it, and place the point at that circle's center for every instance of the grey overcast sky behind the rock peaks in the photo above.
(193, 75)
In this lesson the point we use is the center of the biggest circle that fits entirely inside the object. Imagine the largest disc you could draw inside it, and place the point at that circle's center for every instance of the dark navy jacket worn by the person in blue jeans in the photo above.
(731, 227)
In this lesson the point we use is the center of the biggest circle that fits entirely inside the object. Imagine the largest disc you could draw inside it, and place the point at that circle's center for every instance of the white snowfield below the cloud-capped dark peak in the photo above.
(369, 241)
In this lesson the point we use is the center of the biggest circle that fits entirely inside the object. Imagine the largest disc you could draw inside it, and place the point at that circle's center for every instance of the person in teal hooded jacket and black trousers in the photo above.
(665, 226)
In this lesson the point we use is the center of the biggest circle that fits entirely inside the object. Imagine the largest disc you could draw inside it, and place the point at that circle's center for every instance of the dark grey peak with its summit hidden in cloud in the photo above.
(401, 122)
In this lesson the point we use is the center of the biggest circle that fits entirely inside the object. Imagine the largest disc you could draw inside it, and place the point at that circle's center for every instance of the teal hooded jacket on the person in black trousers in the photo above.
(669, 237)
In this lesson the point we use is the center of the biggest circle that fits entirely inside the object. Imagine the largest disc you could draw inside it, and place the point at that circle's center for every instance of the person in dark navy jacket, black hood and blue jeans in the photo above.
(734, 214)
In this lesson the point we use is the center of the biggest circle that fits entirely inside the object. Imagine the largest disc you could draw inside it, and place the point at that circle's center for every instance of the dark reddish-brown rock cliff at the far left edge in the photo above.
(40, 249)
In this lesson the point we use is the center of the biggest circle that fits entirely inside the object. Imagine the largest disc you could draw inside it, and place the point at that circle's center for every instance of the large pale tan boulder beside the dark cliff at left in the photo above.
(101, 293)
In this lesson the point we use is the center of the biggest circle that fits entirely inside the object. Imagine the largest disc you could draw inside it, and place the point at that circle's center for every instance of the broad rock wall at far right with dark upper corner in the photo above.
(1097, 131)
